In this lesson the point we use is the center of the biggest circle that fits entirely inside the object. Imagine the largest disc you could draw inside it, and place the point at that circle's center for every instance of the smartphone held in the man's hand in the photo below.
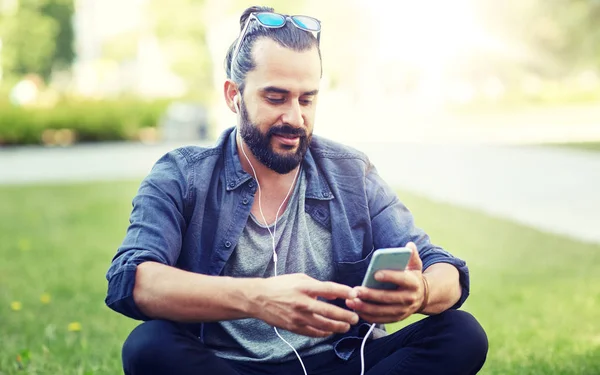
(386, 259)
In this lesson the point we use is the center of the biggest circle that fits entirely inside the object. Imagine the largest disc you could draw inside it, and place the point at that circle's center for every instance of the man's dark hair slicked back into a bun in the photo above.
(288, 36)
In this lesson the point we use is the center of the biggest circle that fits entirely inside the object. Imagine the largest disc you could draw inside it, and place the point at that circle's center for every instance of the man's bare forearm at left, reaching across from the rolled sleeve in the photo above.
(165, 292)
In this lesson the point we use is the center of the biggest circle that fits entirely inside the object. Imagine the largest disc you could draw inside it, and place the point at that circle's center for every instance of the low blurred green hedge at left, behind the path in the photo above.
(88, 120)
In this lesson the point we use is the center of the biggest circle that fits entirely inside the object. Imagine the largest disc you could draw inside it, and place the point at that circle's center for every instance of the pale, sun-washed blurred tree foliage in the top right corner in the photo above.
(561, 36)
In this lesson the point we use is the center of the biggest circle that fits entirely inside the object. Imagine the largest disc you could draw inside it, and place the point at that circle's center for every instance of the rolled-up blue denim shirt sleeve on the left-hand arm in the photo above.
(157, 223)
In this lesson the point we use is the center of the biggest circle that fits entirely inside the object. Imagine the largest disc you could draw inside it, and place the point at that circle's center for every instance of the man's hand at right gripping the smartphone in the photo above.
(389, 306)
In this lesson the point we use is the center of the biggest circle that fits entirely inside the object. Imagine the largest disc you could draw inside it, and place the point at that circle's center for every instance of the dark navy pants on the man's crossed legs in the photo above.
(449, 343)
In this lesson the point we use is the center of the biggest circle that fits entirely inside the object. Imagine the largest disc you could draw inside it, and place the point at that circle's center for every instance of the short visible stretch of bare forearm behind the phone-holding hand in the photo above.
(444, 288)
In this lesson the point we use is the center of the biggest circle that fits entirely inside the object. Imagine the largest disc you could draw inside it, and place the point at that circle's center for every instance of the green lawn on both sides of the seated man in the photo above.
(536, 294)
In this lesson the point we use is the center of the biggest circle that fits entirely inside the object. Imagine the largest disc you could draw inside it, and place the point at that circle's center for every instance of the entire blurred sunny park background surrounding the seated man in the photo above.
(484, 116)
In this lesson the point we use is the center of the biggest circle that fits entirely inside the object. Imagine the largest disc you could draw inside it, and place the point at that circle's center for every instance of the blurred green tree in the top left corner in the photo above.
(37, 36)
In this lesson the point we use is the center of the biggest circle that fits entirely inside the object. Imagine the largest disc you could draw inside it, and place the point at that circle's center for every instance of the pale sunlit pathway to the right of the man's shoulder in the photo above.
(553, 189)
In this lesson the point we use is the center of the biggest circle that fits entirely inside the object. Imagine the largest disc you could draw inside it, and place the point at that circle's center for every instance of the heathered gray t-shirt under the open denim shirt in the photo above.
(303, 246)
